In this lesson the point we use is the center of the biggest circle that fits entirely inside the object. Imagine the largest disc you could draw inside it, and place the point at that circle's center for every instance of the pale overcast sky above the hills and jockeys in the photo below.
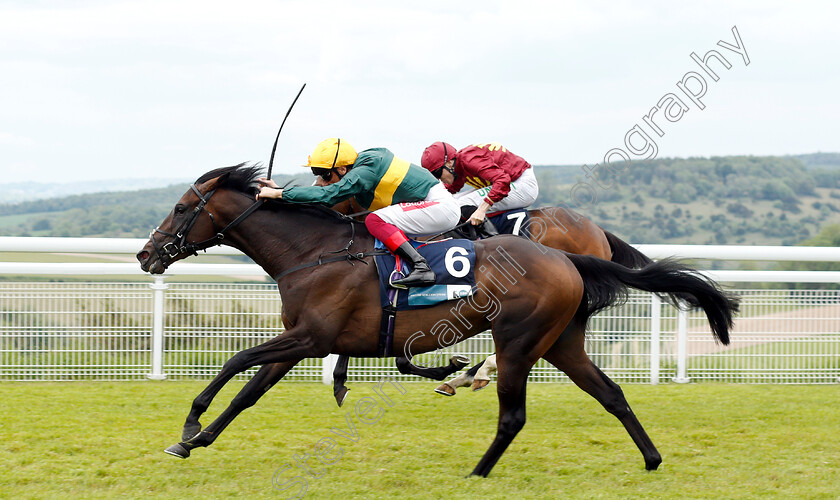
(169, 89)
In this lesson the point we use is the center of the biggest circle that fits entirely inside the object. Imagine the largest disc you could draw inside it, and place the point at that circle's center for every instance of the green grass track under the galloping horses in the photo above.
(104, 440)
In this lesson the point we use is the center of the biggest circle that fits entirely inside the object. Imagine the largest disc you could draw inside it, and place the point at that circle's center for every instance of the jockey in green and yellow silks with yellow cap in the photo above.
(403, 198)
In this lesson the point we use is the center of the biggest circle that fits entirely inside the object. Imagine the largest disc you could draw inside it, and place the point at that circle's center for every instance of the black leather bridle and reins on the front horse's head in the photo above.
(167, 252)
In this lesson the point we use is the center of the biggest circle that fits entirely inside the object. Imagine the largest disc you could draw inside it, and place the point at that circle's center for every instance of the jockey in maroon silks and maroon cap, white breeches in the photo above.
(496, 177)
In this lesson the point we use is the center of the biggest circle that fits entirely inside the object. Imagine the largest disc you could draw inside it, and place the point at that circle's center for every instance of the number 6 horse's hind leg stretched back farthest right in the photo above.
(572, 360)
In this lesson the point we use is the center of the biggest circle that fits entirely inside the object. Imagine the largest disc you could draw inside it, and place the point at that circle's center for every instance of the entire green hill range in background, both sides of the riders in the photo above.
(720, 200)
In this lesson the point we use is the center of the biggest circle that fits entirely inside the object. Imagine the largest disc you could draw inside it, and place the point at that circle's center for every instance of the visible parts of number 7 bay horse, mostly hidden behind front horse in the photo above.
(555, 227)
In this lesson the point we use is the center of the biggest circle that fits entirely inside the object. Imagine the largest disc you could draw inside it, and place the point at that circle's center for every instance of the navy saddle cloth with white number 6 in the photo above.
(453, 262)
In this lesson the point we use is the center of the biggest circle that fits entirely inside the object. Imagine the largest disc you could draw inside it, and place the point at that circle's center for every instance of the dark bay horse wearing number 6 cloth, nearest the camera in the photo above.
(527, 294)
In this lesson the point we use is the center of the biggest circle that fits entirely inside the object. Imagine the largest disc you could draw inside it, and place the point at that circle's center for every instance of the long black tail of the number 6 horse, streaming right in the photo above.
(606, 283)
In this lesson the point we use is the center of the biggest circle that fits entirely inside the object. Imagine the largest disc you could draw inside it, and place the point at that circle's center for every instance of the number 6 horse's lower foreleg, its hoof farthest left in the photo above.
(263, 380)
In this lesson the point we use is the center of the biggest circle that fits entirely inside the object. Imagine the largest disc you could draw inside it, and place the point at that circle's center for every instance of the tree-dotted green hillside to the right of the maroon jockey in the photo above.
(771, 200)
